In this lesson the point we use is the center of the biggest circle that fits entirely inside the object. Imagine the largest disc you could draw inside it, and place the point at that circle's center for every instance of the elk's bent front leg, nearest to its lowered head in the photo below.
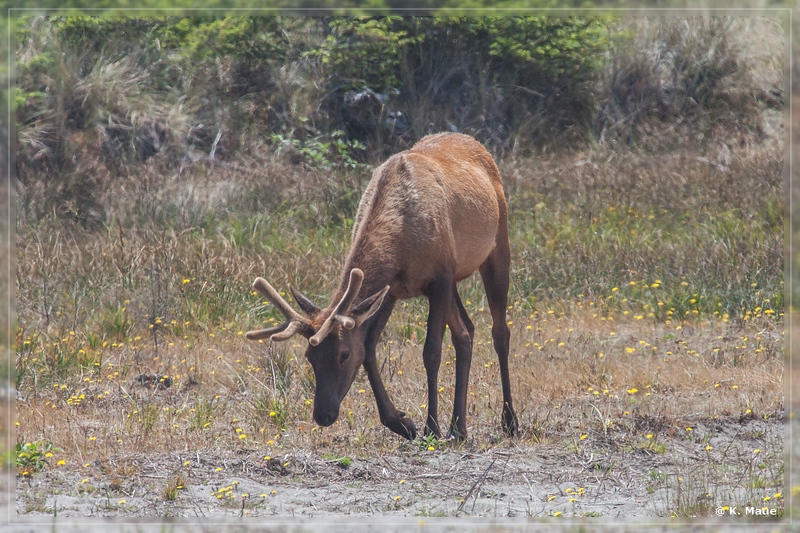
(392, 418)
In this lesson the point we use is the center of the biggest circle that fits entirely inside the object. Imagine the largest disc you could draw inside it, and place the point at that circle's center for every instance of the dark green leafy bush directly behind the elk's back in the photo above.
(496, 78)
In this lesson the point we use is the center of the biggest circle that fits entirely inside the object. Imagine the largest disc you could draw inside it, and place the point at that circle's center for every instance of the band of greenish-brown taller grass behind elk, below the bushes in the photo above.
(668, 236)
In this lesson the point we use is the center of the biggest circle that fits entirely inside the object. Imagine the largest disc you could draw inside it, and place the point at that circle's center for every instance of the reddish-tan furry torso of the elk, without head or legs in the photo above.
(436, 206)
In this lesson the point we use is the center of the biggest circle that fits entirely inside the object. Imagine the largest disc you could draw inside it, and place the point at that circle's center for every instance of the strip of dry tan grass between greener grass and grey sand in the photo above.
(572, 375)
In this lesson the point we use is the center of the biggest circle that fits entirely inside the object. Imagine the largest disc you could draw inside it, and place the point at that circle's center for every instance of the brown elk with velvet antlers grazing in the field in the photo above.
(429, 217)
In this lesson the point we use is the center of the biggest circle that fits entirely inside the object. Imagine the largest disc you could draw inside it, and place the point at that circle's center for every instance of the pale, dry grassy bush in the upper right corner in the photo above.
(700, 76)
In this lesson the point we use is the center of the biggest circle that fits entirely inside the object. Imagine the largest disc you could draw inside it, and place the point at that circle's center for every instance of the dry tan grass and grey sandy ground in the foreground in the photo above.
(240, 412)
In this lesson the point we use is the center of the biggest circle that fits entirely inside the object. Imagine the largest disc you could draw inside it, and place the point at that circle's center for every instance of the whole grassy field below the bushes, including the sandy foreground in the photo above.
(646, 310)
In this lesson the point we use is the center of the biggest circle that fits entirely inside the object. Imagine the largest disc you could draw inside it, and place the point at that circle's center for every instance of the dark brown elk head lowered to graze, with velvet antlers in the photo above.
(335, 339)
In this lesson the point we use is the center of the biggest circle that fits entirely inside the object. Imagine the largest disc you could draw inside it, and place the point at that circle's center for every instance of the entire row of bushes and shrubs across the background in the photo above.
(104, 99)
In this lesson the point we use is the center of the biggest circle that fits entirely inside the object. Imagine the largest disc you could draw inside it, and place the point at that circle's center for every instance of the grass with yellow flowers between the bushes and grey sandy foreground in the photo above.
(632, 319)
